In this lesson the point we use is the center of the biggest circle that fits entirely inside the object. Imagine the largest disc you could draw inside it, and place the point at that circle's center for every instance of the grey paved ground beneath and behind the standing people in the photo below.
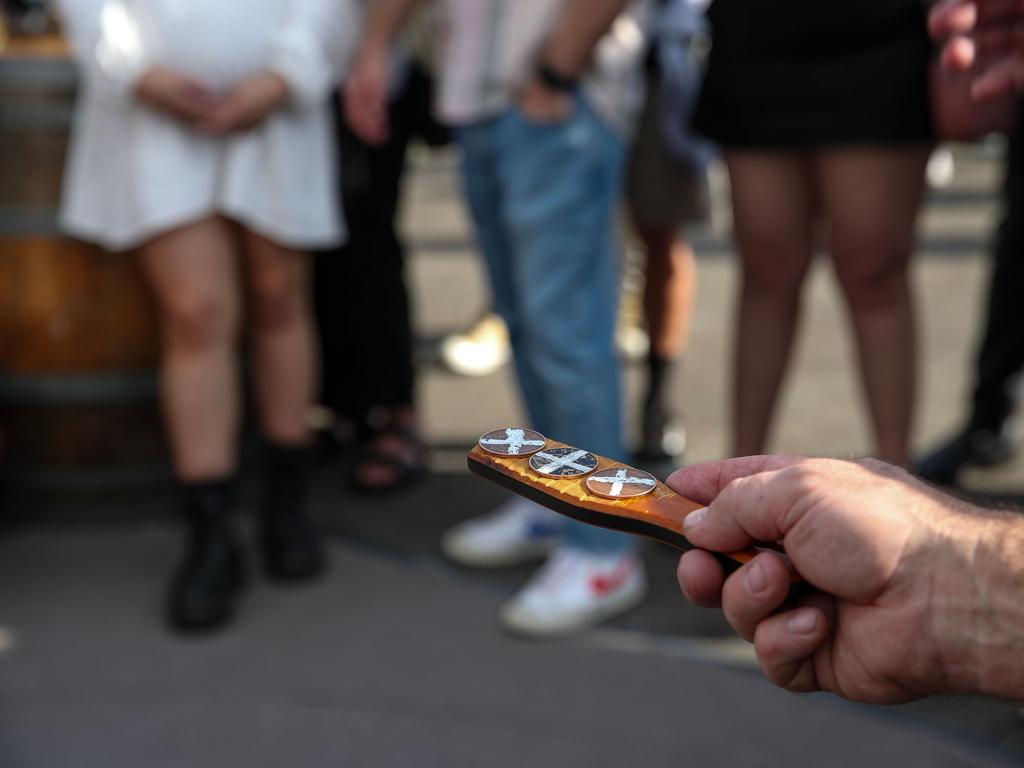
(395, 659)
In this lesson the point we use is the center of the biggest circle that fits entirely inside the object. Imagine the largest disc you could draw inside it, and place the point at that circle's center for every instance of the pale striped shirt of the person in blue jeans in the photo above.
(491, 49)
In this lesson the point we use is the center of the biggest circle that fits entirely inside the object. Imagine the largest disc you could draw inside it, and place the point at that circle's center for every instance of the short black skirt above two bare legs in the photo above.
(793, 74)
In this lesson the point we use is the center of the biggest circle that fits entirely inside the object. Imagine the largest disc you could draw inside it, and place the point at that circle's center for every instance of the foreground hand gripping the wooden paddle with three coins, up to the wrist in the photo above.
(877, 545)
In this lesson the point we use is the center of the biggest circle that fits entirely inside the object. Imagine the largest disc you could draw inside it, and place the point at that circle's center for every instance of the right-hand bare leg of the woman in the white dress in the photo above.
(284, 352)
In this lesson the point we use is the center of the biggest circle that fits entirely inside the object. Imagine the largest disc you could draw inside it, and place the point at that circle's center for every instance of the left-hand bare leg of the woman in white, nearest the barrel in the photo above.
(194, 275)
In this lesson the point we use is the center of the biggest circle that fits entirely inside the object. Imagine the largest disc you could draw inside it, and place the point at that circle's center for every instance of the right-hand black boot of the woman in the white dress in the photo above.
(291, 544)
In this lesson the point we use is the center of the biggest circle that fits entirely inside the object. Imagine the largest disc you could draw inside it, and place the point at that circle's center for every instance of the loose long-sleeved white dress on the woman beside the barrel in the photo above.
(134, 174)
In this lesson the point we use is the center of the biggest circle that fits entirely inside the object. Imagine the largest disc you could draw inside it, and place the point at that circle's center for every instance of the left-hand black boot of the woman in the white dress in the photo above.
(211, 574)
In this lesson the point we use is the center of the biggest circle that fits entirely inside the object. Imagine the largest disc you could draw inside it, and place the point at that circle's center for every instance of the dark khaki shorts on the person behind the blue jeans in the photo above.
(662, 193)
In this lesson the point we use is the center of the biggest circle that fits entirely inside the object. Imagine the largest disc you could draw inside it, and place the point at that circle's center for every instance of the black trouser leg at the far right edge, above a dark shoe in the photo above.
(1001, 358)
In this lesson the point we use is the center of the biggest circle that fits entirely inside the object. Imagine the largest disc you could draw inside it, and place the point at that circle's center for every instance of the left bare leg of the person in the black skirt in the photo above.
(774, 223)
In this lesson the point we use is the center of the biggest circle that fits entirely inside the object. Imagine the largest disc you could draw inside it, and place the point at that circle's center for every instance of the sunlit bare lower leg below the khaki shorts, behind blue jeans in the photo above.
(671, 285)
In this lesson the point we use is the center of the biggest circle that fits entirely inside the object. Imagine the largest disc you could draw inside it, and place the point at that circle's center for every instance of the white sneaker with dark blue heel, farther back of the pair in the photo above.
(518, 532)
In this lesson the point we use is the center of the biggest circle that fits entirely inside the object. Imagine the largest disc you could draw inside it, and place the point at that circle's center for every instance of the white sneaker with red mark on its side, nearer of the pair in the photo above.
(576, 590)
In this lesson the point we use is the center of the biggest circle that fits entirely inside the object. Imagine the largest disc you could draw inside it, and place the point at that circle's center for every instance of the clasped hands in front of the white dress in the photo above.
(188, 100)
